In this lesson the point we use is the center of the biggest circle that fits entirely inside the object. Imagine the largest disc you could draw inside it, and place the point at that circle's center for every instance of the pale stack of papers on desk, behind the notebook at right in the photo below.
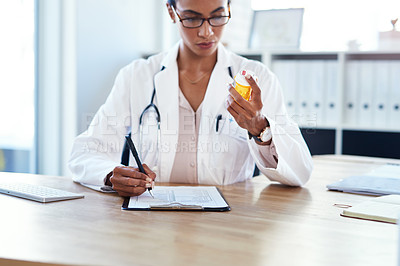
(384, 180)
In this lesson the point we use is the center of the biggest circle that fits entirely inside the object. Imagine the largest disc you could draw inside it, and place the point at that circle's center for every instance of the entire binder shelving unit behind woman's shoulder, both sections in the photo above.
(336, 96)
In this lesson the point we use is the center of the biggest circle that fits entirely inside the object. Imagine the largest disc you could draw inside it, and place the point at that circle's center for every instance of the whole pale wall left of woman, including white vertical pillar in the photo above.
(81, 46)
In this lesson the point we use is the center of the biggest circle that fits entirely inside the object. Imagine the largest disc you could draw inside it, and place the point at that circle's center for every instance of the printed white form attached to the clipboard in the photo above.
(207, 197)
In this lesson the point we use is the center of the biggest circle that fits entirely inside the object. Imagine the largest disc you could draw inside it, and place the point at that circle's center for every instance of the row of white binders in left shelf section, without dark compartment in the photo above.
(310, 87)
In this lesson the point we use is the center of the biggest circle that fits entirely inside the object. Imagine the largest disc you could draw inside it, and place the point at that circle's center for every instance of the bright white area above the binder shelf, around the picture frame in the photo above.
(331, 25)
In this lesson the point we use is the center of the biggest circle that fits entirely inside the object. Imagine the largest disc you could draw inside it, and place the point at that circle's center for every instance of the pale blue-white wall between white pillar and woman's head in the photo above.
(110, 34)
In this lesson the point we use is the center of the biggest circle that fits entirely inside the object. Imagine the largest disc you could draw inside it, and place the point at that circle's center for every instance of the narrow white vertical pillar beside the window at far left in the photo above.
(48, 95)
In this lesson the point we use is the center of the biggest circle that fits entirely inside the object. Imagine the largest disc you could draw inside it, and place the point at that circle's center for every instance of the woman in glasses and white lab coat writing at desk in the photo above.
(208, 134)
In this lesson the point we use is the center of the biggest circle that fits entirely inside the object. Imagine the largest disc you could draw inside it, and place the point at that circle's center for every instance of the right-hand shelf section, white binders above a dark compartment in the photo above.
(371, 104)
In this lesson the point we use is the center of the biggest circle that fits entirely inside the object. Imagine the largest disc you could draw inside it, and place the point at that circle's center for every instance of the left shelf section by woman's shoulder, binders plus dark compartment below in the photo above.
(316, 116)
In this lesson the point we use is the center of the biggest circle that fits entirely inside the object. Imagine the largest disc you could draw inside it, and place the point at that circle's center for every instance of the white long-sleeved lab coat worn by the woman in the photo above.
(224, 157)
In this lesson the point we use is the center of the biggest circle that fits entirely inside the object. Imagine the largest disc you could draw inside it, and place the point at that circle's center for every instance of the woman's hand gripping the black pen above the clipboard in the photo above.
(129, 182)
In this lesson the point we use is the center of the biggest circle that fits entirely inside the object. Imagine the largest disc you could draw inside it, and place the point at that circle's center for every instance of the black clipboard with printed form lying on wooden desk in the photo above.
(178, 198)
